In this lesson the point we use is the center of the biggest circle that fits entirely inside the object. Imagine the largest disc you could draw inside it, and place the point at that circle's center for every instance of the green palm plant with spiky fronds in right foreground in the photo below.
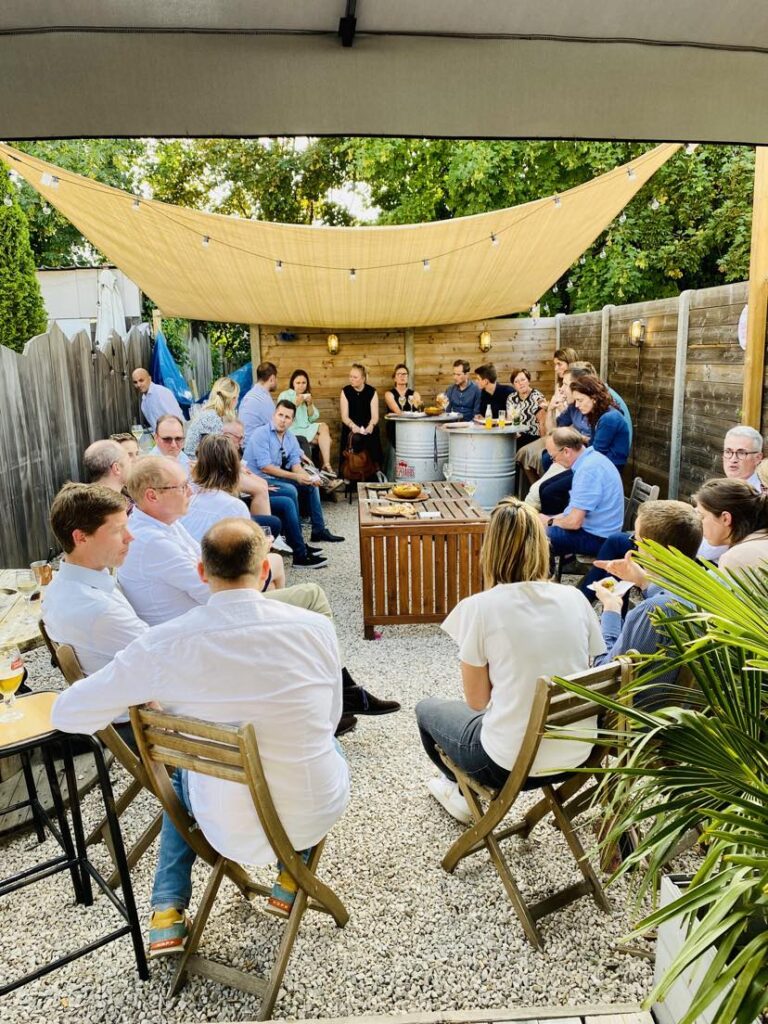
(701, 764)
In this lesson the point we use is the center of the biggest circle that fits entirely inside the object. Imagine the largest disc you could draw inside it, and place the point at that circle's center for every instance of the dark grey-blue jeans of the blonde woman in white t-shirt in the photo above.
(456, 730)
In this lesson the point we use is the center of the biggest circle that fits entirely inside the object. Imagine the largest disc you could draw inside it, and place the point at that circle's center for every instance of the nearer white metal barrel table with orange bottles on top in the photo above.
(488, 457)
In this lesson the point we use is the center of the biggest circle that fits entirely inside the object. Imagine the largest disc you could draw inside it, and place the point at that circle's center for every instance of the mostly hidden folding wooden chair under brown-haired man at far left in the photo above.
(65, 658)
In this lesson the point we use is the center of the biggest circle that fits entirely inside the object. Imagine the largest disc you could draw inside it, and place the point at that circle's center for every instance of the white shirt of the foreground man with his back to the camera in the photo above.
(242, 659)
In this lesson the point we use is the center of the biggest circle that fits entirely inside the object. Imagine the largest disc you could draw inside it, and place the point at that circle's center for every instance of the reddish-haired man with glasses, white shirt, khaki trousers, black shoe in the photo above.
(159, 576)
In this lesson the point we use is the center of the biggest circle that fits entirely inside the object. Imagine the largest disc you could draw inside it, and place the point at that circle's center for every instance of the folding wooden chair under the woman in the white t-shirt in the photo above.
(564, 797)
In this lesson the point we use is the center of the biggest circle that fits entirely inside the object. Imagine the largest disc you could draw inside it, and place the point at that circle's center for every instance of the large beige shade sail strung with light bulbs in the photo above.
(211, 268)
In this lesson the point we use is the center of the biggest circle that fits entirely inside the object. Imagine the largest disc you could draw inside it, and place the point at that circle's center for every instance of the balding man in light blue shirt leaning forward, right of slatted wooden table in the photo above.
(596, 505)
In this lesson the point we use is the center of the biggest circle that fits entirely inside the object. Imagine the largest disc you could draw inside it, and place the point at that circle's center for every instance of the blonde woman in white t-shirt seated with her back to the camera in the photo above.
(520, 628)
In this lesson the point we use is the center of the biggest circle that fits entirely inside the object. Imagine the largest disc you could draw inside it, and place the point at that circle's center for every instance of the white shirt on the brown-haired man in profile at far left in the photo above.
(84, 609)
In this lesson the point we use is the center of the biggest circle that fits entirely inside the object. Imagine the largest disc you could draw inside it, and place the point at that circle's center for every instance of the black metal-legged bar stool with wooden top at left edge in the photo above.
(34, 732)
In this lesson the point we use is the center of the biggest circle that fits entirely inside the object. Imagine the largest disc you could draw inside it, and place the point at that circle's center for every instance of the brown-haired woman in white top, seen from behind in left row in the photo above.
(217, 480)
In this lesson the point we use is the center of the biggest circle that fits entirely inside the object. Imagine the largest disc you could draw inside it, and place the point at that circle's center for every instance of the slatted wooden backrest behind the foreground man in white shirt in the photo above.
(224, 752)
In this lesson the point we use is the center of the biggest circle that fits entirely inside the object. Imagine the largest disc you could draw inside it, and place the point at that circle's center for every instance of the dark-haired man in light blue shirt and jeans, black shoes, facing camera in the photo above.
(274, 453)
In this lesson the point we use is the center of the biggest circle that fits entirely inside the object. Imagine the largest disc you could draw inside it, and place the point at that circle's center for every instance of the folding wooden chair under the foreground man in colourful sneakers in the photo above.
(229, 753)
